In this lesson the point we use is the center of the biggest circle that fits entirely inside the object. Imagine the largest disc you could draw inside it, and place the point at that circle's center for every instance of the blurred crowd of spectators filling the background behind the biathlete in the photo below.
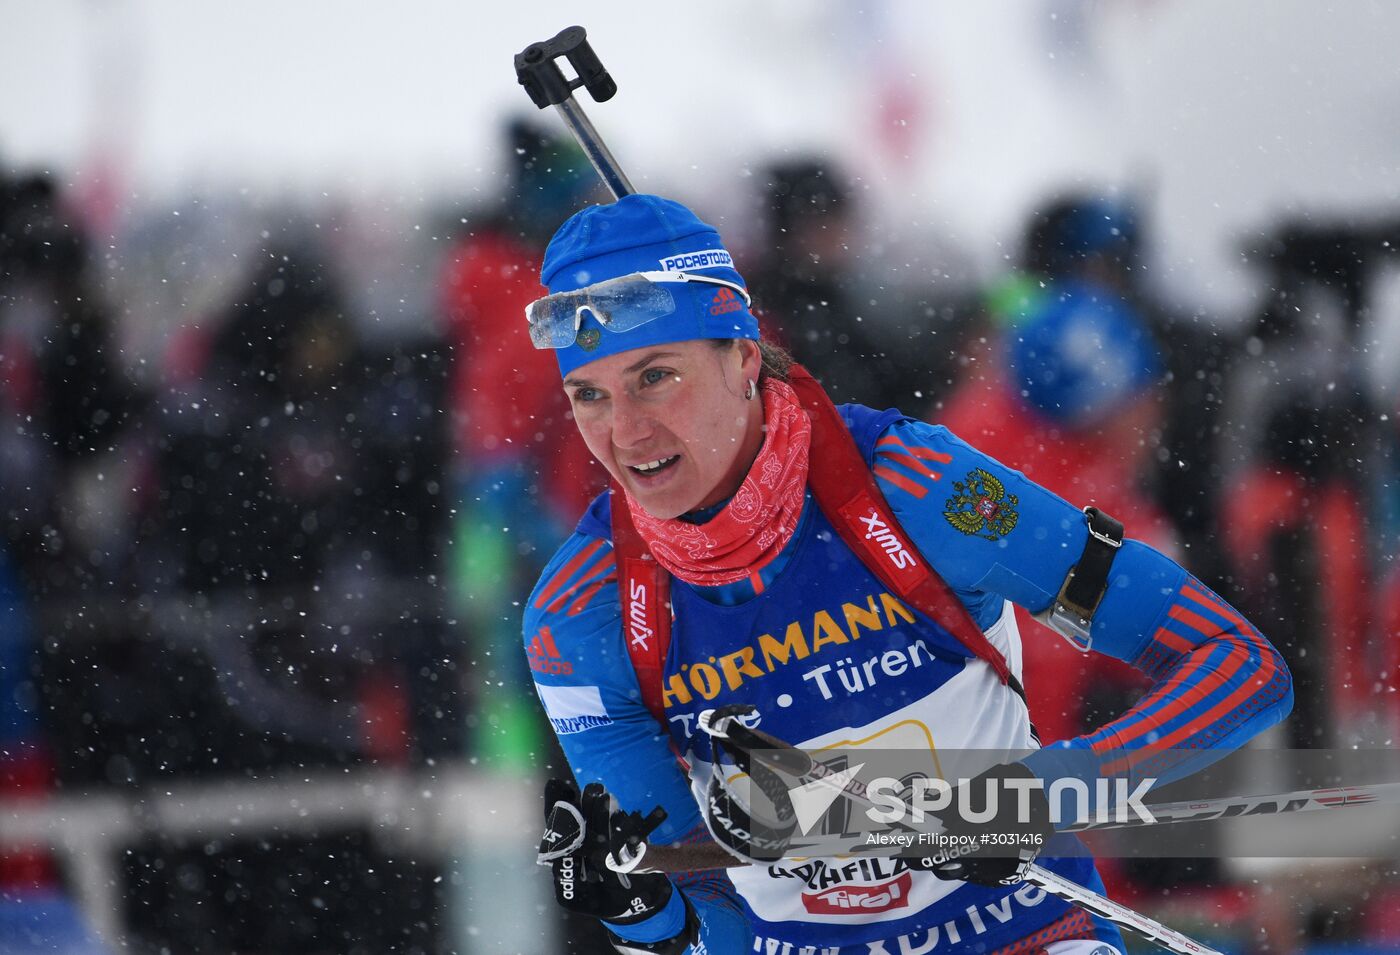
(279, 466)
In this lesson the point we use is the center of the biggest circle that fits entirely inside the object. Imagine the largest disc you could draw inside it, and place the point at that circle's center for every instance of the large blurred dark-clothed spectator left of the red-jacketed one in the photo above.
(296, 499)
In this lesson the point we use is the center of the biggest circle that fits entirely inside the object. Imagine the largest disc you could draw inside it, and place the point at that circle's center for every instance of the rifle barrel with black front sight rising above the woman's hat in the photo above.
(538, 71)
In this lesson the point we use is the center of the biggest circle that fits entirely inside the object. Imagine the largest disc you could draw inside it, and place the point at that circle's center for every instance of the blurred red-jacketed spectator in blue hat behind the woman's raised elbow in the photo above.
(1067, 389)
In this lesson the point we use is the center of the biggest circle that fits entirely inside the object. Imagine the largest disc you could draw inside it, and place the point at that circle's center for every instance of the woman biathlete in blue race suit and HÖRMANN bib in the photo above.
(850, 575)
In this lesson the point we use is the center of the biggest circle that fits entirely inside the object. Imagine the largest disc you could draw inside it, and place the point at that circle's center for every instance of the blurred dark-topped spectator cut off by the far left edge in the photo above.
(62, 403)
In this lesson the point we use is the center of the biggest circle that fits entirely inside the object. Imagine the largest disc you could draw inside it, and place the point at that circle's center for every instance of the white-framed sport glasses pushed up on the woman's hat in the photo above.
(618, 305)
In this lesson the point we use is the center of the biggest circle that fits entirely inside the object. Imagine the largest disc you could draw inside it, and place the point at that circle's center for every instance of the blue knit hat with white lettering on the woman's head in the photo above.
(643, 233)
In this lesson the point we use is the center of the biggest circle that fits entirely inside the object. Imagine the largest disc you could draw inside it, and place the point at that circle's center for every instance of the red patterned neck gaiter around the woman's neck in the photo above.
(761, 517)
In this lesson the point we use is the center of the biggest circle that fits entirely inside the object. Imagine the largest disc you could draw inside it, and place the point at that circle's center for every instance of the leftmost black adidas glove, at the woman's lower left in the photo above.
(580, 835)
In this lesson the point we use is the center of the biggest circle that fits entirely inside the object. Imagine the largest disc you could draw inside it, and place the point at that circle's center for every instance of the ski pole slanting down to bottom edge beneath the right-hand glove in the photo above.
(782, 757)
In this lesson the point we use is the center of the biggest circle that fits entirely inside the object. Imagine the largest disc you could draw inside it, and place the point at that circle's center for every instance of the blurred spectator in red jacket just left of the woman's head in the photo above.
(521, 468)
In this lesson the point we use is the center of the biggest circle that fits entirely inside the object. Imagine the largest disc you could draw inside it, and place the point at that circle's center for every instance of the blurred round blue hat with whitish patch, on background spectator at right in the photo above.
(1083, 355)
